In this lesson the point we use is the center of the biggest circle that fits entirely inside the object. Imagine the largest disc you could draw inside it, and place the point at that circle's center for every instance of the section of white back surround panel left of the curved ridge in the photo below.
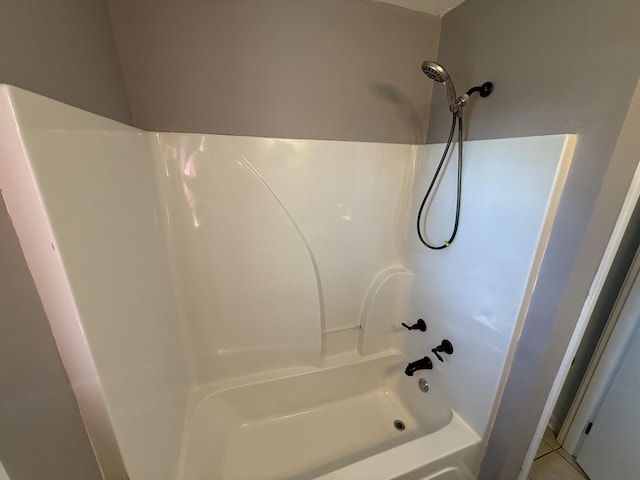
(248, 282)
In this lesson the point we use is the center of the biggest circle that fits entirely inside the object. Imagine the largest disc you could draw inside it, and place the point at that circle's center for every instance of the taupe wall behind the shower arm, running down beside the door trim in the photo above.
(558, 67)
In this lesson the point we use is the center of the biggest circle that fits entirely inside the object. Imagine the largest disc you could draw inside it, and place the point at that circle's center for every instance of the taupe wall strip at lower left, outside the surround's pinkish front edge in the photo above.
(41, 433)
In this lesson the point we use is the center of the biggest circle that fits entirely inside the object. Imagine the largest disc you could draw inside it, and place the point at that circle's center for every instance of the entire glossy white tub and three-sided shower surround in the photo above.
(212, 295)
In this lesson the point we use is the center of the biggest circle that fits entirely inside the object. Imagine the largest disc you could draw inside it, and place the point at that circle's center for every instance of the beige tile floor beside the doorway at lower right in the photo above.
(553, 463)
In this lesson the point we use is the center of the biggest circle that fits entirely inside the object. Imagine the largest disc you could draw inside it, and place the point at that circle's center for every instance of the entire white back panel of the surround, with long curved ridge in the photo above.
(278, 241)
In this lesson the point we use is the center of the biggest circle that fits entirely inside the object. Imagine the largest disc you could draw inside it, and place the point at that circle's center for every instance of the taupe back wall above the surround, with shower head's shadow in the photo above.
(330, 69)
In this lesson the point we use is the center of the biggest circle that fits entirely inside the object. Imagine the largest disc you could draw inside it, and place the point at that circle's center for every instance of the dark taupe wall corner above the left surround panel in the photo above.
(63, 49)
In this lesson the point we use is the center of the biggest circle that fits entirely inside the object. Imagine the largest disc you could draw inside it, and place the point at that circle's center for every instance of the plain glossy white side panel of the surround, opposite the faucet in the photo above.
(95, 181)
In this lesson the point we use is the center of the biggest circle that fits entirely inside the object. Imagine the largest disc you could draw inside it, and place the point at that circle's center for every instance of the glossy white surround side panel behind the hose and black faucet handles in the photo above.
(476, 292)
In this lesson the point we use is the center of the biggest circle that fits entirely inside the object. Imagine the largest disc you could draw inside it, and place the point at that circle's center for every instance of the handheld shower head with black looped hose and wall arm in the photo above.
(437, 73)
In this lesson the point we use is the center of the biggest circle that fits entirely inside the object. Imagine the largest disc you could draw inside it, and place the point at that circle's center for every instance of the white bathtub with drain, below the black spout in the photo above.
(336, 422)
